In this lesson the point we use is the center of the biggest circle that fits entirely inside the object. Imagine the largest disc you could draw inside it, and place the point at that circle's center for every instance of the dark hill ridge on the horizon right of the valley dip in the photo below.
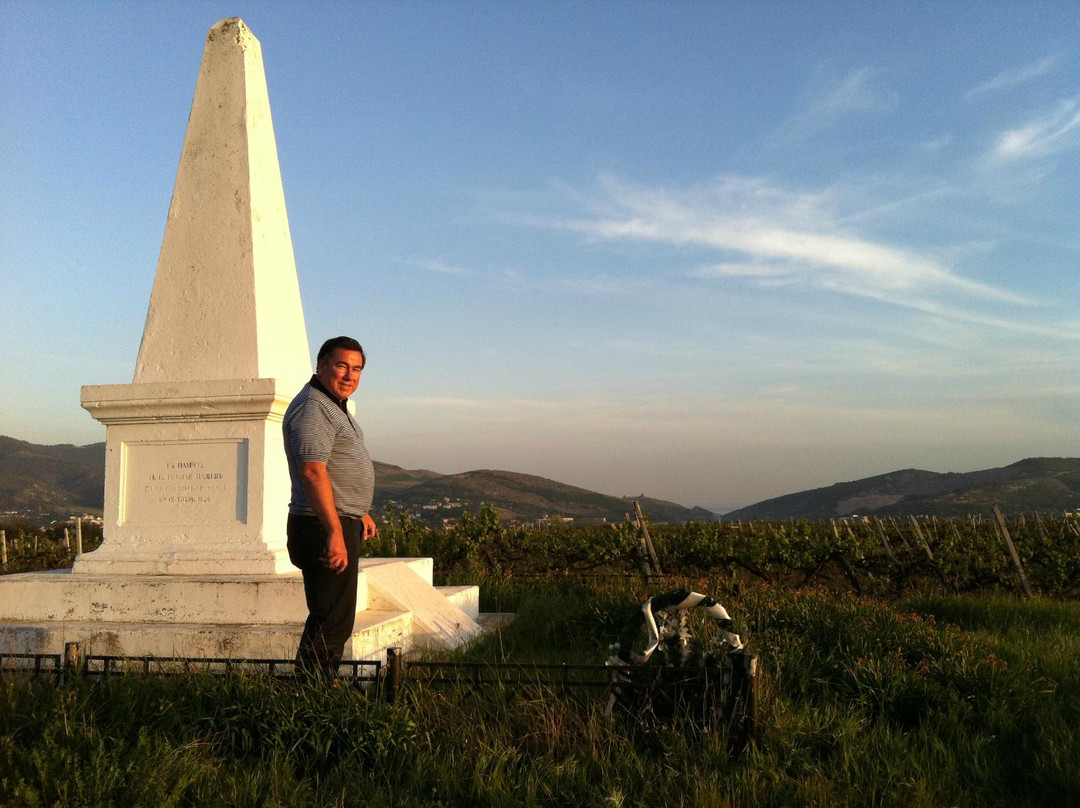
(1039, 483)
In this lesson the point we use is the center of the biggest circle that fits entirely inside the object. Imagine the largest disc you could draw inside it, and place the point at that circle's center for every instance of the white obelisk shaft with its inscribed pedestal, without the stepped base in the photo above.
(196, 475)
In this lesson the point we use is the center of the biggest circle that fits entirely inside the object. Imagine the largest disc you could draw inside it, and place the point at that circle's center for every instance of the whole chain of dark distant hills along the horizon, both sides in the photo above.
(58, 481)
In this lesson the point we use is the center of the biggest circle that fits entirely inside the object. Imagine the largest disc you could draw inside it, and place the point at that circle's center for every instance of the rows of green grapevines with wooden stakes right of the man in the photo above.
(885, 558)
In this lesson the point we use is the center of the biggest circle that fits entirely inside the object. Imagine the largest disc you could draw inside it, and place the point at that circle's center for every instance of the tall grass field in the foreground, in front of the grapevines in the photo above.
(930, 701)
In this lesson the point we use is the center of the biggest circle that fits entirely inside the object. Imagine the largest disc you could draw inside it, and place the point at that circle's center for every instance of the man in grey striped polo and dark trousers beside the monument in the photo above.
(333, 484)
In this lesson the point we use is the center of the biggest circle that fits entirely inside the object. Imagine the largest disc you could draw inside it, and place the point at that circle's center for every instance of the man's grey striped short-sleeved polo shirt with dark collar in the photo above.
(319, 429)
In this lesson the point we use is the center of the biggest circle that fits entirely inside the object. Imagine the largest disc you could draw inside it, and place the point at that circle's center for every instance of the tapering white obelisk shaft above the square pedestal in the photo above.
(226, 302)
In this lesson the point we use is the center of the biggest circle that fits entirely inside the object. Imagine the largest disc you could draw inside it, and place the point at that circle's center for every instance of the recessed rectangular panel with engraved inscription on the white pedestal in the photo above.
(184, 482)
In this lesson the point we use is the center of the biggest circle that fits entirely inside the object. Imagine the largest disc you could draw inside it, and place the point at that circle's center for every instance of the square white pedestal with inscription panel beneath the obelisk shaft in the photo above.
(196, 479)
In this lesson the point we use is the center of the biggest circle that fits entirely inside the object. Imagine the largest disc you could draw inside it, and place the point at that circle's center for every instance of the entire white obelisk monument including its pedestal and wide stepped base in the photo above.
(195, 562)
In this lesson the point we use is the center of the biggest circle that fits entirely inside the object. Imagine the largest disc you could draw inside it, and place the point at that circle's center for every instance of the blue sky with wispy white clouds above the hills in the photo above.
(712, 252)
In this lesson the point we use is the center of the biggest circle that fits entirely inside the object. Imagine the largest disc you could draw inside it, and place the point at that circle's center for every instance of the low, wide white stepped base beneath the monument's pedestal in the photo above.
(215, 617)
